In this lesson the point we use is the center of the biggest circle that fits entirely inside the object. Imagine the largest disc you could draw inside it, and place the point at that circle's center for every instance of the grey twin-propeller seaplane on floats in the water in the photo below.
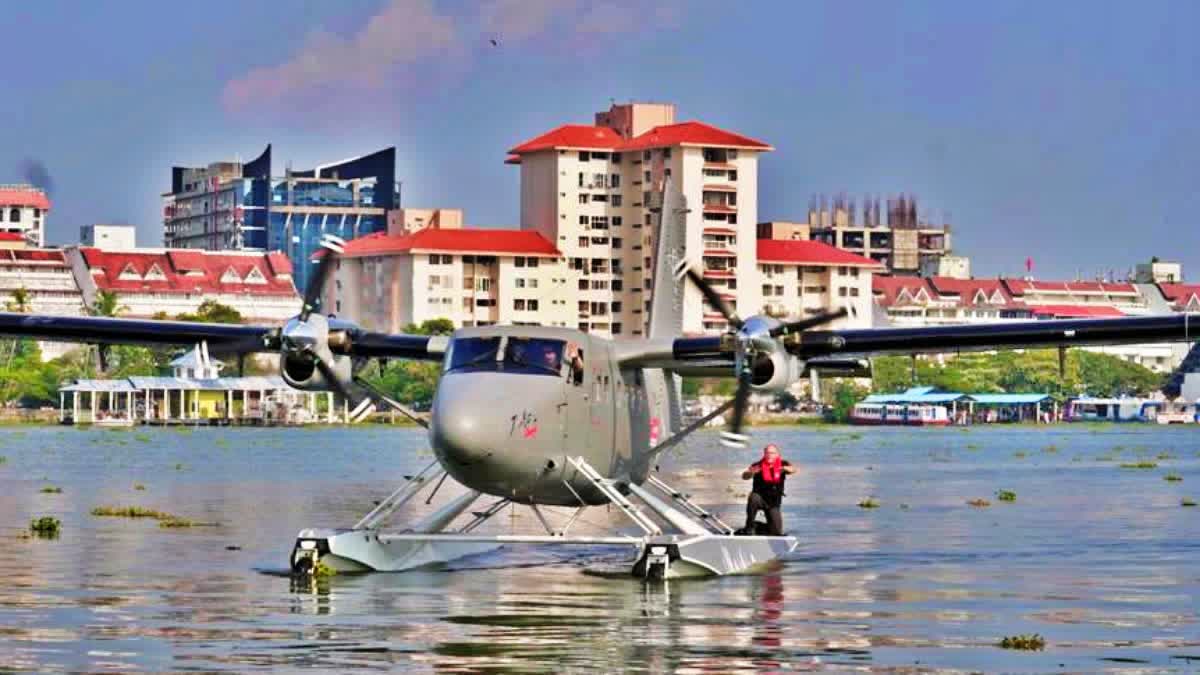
(538, 417)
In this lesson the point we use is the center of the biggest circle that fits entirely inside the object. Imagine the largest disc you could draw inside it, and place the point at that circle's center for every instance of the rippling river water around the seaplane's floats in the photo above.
(1102, 561)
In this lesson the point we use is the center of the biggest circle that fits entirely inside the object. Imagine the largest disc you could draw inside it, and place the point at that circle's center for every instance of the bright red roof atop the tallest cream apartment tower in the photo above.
(604, 139)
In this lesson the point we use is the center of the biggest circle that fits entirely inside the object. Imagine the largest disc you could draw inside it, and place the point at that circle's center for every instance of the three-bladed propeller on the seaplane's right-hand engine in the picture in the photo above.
(754, 342)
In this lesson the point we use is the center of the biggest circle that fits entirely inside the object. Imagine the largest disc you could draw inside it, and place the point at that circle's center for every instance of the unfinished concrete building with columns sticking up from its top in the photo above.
(902, 243)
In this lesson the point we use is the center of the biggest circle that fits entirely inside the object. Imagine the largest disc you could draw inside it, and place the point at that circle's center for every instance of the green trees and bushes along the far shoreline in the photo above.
(29, 387)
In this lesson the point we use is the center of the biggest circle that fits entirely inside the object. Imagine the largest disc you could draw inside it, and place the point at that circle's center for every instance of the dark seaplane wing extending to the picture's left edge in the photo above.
(220, 337)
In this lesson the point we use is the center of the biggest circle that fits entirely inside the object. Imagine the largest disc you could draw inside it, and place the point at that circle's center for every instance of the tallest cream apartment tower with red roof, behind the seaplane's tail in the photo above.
(592, 192)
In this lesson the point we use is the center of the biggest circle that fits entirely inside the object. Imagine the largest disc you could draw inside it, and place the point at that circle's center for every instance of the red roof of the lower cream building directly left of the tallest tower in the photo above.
(473, 241)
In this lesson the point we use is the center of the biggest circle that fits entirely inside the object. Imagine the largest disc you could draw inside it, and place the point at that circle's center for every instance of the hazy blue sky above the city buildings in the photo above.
(1066, 133)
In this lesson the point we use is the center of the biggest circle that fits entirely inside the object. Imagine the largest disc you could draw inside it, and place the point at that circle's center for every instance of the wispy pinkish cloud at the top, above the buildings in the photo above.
(411, 45)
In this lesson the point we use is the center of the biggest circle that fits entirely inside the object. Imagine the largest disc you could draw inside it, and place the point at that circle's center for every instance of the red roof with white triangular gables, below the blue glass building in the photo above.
(109, 266)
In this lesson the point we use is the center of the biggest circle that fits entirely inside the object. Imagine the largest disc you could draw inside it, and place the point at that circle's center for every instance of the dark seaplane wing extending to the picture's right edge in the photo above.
(950, 339)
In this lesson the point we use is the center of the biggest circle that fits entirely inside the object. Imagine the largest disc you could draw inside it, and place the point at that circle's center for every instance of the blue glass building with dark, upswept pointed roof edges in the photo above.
(245, 207)
